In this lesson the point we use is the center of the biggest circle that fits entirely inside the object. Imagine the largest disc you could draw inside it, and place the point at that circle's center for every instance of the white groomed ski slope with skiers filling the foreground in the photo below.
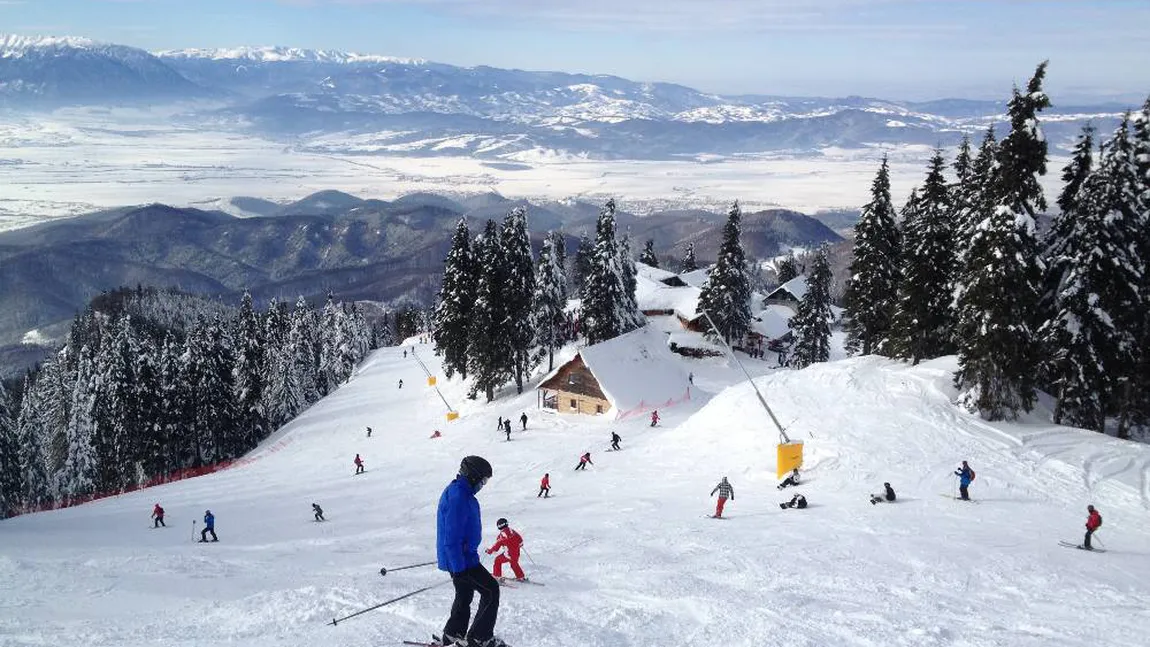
(625, 550)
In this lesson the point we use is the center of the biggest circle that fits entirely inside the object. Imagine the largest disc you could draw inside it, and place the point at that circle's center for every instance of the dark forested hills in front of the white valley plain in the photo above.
(331, 242)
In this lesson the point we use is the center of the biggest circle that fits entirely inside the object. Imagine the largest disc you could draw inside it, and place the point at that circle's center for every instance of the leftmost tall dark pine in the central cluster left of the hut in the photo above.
(454, 310)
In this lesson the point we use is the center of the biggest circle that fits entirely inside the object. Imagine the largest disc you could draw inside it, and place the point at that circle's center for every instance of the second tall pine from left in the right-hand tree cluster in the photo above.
(923, 325)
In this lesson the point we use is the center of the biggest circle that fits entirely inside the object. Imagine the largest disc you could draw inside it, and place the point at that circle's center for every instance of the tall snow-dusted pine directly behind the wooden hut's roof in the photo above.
(605, 313)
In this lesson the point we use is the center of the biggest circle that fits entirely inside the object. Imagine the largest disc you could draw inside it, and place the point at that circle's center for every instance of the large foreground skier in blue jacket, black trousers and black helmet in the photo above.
(459, 532)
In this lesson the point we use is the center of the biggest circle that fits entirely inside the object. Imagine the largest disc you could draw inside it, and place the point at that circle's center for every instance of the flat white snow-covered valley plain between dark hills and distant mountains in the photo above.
(80, 160)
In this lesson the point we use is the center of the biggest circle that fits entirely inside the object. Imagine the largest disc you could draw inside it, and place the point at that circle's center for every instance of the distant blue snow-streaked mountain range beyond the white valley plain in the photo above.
(326, 102)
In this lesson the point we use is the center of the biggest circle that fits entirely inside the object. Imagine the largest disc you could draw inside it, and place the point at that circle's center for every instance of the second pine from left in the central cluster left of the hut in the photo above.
(489, 358)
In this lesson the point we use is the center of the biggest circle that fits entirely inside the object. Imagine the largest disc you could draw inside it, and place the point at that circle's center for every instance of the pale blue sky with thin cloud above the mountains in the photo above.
(890, 49)
